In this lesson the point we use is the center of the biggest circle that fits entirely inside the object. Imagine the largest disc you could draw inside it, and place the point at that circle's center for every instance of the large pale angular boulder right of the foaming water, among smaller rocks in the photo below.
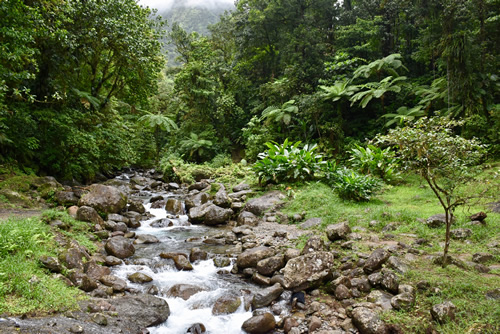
(307, 270)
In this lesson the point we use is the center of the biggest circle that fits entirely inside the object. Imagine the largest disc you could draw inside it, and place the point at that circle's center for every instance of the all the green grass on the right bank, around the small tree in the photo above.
(406, 204)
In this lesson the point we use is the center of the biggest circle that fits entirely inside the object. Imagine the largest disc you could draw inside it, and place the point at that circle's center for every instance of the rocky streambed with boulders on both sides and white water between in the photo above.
(204, 259)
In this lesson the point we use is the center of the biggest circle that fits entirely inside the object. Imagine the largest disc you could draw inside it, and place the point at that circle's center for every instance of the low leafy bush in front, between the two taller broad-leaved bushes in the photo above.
(350, 185)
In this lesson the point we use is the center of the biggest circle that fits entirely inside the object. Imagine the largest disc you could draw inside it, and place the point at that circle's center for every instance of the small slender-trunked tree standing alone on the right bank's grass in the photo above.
(446, 161)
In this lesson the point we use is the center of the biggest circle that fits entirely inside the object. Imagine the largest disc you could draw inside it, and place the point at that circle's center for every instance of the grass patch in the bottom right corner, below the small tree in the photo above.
(464, 288)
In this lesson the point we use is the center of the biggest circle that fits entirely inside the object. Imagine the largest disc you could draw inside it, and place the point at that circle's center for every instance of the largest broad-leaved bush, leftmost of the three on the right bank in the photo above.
(288, 162)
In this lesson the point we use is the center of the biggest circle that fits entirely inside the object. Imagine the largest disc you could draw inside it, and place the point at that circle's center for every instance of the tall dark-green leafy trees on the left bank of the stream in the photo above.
(74, 77)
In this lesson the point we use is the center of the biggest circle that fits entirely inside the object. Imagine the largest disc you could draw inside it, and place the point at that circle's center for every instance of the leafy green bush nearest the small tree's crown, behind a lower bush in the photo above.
(373, 160)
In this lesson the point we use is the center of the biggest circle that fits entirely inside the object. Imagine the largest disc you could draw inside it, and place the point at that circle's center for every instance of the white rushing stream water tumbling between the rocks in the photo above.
(215, 281)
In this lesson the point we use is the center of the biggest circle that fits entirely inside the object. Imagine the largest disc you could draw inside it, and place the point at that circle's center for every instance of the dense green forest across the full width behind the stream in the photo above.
(83, 87)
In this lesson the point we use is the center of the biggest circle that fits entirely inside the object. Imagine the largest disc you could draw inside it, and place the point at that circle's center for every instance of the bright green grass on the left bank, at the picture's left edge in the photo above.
(25, 287)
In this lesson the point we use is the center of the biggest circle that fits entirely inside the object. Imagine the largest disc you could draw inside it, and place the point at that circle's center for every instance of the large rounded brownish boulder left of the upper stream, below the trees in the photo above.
(104, 198)
